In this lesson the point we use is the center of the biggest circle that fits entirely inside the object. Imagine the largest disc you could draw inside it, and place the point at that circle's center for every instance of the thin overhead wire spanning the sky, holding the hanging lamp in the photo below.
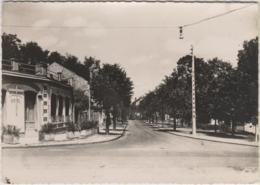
(129, 27)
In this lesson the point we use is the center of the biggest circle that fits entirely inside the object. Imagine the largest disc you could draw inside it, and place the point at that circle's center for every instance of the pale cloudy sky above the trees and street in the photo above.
(142, 37)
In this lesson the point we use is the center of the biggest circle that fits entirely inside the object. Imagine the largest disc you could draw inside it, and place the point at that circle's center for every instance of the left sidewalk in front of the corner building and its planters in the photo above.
(93, 139)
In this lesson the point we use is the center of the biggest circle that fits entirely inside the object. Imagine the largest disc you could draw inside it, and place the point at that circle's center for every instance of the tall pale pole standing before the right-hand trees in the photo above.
(193, 93)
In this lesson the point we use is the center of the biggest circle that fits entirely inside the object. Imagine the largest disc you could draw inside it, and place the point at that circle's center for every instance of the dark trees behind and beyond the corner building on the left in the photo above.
(111, 88)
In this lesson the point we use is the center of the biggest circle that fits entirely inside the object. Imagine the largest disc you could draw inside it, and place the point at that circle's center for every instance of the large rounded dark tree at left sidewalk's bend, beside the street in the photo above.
(112, 89)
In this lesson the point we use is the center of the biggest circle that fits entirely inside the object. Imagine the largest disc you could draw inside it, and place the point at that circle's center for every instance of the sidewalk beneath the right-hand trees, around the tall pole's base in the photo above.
(208, 135)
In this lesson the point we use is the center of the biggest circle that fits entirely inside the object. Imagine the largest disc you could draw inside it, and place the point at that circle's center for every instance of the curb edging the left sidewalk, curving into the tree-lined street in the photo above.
(66, 144)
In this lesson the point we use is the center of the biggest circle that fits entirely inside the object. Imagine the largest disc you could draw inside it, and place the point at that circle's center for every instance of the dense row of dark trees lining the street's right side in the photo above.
(223, 93)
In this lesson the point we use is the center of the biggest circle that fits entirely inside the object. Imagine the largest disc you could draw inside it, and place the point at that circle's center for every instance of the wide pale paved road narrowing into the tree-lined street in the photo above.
(142, 155)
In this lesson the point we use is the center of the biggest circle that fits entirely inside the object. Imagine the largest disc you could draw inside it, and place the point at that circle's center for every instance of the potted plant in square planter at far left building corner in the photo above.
(10, 134)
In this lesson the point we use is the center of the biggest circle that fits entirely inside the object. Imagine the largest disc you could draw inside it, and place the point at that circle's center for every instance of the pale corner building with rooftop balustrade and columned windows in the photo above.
(32, 97)
